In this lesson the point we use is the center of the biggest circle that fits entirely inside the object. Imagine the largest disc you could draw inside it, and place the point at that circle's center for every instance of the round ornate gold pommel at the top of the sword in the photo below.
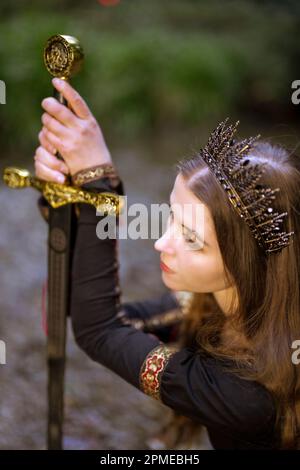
(63, 56)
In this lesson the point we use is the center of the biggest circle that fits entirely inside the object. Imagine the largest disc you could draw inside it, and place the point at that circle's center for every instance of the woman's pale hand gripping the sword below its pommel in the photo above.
(74, 133)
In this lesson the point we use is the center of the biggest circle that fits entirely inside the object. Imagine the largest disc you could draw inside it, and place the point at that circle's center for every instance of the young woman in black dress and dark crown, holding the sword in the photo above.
(232, 369)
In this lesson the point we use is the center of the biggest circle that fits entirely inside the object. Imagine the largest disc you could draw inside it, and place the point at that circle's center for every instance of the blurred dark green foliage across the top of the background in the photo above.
(150, 66)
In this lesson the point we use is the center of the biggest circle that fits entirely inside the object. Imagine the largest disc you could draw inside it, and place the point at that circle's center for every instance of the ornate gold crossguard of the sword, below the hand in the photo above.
(59, 195)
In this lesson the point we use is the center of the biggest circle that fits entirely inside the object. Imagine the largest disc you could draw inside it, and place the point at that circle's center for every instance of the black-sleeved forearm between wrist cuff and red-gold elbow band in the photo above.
(96, 300)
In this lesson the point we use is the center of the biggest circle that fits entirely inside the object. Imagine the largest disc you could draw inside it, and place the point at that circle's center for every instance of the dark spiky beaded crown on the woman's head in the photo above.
(252, 201)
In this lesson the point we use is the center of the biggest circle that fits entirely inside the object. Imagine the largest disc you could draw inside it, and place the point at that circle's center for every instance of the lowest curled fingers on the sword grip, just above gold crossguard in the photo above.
(48, 167)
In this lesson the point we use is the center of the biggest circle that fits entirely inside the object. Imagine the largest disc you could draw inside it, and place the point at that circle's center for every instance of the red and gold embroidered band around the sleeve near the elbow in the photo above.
(153, 368)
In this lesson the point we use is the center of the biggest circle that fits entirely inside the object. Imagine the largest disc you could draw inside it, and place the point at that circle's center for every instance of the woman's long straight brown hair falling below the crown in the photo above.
(267, 313)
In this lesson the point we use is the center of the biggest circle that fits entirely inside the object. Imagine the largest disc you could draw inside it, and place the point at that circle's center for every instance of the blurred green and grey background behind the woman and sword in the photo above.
(158, 76)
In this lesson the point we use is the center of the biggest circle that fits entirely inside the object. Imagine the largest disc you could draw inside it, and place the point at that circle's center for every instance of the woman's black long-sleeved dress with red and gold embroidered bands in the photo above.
(238, 414)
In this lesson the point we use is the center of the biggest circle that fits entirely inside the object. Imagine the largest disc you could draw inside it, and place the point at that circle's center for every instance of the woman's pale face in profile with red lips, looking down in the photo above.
(196, 266)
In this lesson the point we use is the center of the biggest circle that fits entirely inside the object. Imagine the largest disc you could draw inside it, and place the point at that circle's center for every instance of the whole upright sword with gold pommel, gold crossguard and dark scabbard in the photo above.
(63, 57)
